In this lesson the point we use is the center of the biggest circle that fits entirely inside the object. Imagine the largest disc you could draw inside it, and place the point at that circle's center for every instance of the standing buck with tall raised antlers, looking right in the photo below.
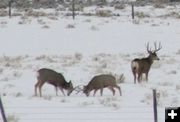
(140, 66)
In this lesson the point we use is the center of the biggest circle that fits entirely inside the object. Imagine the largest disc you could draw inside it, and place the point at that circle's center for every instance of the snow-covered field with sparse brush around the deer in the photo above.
(81, 49)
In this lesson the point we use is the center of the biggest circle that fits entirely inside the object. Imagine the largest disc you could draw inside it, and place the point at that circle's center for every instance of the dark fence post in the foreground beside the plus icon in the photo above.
(155, 106)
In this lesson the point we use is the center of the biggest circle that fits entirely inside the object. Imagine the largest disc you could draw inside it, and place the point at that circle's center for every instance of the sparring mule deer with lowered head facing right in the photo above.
(53, 78)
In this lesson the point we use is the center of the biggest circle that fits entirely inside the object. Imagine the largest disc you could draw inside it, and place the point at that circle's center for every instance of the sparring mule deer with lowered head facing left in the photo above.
(100, 82)
